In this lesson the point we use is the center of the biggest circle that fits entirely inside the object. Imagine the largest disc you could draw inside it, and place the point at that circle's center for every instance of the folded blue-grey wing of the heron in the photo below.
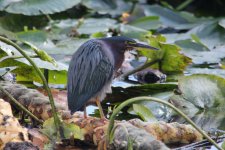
(89, 71)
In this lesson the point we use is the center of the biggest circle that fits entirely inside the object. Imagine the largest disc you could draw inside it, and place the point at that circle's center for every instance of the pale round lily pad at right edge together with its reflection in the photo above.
(202, 98)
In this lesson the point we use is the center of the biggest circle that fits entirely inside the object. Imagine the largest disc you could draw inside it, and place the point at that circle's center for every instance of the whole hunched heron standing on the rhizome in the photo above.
(93, 67)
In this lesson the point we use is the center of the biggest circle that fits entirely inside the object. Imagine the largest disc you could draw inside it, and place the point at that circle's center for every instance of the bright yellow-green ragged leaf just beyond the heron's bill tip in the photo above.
(169, 55)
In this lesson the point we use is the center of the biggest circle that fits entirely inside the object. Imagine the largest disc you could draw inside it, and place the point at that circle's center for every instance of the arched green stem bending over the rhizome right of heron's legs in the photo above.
(145, 98)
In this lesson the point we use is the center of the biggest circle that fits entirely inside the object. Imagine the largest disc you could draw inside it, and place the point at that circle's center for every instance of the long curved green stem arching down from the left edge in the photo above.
(57, 121)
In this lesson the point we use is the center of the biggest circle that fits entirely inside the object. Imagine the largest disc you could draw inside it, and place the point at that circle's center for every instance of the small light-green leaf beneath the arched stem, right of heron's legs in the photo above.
(144, 112)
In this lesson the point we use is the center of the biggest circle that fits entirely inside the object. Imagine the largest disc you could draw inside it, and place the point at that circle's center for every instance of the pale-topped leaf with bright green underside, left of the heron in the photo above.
(25, 72)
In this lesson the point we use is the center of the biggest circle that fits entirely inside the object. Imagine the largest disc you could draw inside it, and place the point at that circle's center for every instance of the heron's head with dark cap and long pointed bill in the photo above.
(122, 44)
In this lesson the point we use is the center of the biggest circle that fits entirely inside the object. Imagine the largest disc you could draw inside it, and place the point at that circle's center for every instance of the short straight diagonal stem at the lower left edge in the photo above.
(20, 105)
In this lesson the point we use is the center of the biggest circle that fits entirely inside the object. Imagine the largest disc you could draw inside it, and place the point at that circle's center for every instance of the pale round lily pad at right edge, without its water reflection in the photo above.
(202, 90)
